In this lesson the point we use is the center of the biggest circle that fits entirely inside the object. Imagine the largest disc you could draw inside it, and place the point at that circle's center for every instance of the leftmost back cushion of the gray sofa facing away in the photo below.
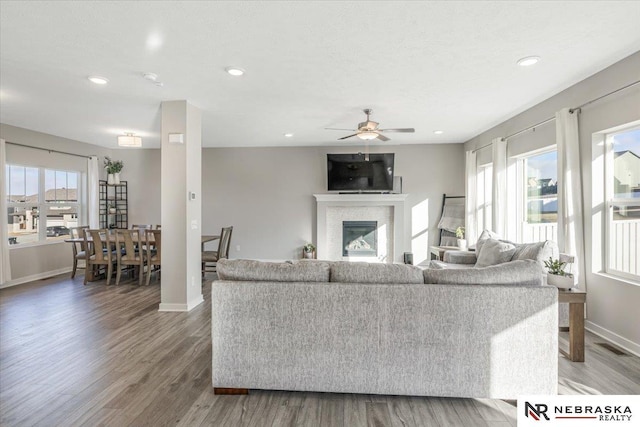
(261, 271)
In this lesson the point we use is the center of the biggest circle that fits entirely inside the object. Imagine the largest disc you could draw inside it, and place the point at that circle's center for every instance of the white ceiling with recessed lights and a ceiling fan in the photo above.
(447, 66)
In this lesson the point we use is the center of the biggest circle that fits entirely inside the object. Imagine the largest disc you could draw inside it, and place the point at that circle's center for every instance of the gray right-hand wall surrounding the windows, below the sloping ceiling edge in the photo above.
(612, 304)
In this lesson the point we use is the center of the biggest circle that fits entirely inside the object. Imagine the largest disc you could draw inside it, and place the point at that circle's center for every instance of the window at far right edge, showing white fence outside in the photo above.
(622, 172)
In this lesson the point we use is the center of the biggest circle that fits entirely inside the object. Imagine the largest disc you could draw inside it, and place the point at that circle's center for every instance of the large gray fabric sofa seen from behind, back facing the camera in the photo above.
(384, 329)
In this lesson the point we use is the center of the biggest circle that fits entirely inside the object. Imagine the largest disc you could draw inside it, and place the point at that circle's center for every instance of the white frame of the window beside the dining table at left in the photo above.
(45, 207)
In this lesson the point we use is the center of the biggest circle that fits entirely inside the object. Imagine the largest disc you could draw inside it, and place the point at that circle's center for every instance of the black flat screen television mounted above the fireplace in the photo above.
(357, 172)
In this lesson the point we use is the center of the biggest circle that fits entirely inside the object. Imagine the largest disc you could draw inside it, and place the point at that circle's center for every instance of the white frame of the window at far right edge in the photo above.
(610, 201)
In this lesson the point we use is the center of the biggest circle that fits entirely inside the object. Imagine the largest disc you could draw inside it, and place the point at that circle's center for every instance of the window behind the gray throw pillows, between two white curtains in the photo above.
(539, 197)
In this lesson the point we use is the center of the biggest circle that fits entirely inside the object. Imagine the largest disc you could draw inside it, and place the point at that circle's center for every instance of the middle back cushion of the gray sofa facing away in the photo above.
(364, 272)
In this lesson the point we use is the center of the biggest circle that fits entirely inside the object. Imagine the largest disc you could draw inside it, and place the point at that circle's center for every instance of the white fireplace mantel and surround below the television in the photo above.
(395, 201)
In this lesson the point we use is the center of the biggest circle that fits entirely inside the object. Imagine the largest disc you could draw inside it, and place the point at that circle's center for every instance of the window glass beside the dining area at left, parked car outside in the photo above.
(35, 193)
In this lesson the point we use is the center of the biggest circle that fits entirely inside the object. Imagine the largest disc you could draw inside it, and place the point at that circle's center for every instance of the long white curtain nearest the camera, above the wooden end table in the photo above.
(570, 219)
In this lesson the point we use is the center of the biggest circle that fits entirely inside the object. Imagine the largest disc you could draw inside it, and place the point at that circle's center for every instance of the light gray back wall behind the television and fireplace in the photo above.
(266, 194)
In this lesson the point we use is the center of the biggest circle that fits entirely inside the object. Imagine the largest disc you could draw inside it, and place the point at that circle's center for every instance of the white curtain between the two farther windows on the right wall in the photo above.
(499, 208)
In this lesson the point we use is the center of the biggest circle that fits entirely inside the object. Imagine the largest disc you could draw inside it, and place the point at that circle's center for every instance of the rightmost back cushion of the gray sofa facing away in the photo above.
(525, 272)
